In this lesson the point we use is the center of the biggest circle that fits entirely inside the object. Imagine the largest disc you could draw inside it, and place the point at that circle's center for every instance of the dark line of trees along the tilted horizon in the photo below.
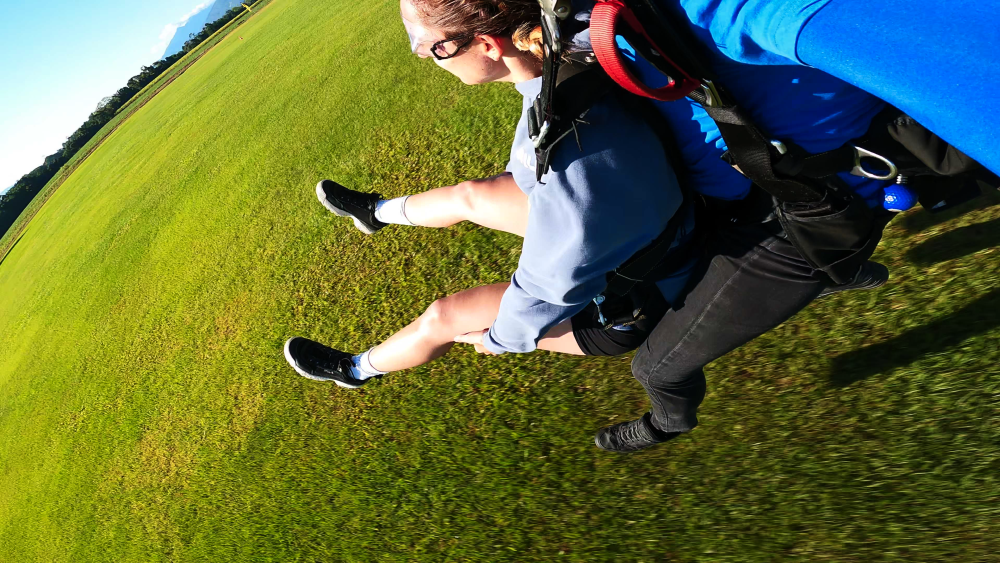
(20, 195)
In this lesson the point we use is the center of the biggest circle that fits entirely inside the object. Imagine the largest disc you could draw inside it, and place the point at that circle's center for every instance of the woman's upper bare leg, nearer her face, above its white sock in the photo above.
(496, 203)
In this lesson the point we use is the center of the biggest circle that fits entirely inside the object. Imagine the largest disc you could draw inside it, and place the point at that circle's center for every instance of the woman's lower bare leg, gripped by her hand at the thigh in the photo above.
(433, 333)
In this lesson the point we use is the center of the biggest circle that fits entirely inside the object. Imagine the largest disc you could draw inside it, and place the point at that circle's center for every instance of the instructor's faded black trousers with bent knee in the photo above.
(750, 281)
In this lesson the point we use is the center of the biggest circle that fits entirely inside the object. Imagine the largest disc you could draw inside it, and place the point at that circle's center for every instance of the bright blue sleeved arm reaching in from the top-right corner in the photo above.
(935, 60)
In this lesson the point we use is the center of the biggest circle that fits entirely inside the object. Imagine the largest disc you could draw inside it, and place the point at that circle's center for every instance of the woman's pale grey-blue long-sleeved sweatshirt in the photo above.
(594, 209)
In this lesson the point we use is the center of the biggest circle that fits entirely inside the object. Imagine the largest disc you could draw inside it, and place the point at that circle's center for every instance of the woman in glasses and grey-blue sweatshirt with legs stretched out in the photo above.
(593, 210)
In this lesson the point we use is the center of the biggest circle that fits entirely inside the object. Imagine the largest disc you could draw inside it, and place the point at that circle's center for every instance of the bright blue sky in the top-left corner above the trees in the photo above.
(58, 58)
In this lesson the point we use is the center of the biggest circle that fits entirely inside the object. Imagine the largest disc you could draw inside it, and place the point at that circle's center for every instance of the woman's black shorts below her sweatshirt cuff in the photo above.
(595, 340)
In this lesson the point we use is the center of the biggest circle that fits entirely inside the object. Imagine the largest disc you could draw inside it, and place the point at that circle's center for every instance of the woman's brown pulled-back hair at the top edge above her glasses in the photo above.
(518, 19)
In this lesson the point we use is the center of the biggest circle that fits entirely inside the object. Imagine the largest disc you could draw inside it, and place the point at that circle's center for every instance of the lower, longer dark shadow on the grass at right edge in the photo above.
(974, 319)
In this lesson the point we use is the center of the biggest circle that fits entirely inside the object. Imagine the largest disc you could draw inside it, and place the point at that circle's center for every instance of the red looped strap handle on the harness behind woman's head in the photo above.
(603, 21)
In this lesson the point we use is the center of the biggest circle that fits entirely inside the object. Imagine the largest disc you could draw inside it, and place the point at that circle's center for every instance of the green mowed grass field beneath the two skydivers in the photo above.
(147, 414)
